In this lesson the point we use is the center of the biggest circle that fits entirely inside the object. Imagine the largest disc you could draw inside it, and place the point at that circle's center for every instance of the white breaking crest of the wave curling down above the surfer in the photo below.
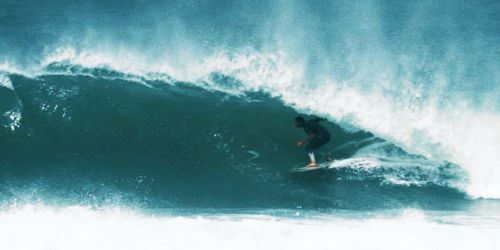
(253, 74)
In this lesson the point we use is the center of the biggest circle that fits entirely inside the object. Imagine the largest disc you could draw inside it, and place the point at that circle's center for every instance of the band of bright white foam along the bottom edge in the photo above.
(38, 227)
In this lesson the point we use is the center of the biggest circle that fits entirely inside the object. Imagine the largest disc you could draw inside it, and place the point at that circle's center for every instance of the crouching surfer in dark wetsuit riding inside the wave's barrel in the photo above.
(317, 136)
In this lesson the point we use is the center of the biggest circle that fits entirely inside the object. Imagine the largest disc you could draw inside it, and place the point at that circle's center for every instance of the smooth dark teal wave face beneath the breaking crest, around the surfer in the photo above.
(94, 140)
